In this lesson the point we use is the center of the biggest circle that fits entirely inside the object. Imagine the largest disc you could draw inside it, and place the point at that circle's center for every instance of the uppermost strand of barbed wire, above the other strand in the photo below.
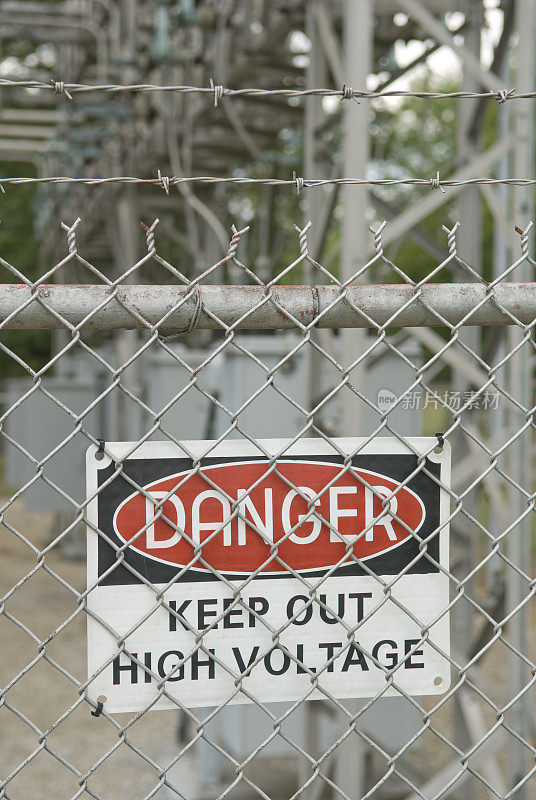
(218, 91)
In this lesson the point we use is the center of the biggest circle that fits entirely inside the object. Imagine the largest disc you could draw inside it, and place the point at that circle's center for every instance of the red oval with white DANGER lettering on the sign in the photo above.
(237, 528)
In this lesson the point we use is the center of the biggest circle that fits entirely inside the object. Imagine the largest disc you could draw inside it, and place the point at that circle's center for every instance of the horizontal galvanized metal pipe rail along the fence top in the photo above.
(183, 308)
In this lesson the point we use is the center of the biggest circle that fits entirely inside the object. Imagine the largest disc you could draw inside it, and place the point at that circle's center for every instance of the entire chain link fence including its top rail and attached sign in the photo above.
(203, 368)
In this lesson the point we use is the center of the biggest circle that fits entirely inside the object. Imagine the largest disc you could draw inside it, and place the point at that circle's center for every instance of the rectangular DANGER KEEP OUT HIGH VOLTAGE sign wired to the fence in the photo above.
(266, 573)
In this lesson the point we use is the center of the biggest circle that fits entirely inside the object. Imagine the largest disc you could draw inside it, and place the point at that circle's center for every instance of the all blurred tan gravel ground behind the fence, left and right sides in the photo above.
(43, 694)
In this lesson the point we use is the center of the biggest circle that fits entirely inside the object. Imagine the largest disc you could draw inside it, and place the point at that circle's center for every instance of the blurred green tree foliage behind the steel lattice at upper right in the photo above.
(410, 137)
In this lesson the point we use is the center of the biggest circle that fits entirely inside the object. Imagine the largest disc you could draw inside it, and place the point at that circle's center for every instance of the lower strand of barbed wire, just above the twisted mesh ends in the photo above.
(165, 182)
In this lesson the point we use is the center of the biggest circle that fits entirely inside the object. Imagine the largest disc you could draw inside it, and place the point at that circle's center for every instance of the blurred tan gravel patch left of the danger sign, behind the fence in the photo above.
(43, 694)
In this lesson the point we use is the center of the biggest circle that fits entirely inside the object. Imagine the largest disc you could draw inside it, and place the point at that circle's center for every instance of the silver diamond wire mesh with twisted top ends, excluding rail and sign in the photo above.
(159, 384)
